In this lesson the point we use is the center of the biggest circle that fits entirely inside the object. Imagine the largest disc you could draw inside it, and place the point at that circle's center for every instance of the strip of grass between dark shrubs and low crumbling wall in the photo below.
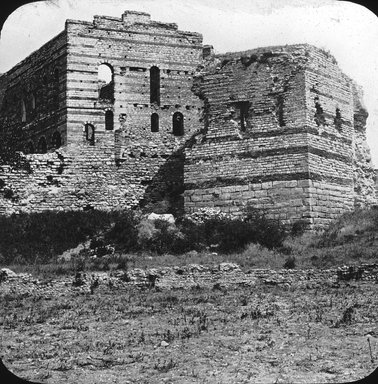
(304, 250)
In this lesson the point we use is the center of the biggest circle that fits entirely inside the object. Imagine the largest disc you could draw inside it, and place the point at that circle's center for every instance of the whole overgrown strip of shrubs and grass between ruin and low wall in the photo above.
(26, 247)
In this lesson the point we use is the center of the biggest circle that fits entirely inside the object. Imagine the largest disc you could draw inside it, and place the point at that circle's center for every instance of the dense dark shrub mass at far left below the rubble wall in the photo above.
(27, 236)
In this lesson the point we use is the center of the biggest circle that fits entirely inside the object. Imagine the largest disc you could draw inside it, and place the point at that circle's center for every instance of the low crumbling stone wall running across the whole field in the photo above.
(193, 276)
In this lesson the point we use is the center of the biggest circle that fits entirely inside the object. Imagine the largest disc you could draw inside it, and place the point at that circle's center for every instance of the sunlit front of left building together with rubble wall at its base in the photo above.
(128, 164)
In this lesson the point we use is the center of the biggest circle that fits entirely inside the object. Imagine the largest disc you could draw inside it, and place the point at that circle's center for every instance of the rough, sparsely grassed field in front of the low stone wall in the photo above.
(240, 334)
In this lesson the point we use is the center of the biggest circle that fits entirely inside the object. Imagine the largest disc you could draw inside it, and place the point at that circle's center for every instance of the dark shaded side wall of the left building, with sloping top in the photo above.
(38, 82)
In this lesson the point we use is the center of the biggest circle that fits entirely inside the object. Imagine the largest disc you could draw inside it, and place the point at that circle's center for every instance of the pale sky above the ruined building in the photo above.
(348, 30)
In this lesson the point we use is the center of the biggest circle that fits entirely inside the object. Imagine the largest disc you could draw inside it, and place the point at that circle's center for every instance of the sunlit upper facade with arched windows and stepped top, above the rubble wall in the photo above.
(131, 45)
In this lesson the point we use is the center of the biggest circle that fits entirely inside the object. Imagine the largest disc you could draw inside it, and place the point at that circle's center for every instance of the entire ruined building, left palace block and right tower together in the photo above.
(174, 127)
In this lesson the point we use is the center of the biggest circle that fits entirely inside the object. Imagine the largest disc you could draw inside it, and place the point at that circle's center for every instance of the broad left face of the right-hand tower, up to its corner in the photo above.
(254, 147)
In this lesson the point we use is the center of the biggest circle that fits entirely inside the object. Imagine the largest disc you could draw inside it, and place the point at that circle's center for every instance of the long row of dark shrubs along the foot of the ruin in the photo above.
(44, 236)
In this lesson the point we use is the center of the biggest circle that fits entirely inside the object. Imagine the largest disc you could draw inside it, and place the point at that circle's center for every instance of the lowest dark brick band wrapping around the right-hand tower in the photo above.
(225, 182)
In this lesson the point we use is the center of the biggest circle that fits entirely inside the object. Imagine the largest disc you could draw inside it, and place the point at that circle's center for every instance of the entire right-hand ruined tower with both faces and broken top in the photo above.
(280, 135)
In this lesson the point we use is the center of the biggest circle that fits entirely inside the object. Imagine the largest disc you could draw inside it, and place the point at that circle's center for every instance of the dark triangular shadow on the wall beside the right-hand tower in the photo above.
(164, 193)
